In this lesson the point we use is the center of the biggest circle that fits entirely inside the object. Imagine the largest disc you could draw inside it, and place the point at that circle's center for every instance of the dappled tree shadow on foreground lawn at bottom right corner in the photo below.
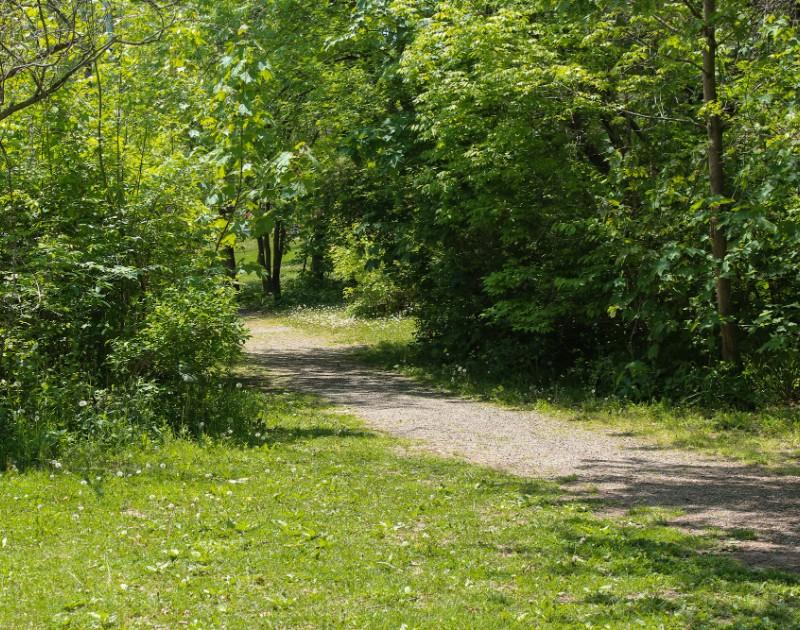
(580, 545)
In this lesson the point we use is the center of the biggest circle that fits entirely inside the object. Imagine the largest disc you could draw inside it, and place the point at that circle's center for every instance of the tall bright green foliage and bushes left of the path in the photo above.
(113, 314)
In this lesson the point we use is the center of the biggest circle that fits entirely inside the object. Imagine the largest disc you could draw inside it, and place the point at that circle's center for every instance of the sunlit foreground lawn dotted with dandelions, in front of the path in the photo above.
(311, 521)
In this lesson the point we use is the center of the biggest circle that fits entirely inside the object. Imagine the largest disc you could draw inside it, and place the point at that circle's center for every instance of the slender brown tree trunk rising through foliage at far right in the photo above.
(719, 242)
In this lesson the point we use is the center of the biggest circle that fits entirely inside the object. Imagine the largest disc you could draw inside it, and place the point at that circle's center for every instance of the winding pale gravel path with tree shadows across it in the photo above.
(618, 471)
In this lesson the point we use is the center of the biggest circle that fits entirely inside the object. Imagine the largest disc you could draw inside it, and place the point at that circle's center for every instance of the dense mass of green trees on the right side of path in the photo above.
(604, 189)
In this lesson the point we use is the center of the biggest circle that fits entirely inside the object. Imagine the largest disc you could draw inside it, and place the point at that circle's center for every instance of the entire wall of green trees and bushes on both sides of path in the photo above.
(601, 189)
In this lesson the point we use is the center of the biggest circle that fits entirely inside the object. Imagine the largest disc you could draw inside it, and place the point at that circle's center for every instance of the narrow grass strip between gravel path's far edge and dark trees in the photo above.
(769, 438)
